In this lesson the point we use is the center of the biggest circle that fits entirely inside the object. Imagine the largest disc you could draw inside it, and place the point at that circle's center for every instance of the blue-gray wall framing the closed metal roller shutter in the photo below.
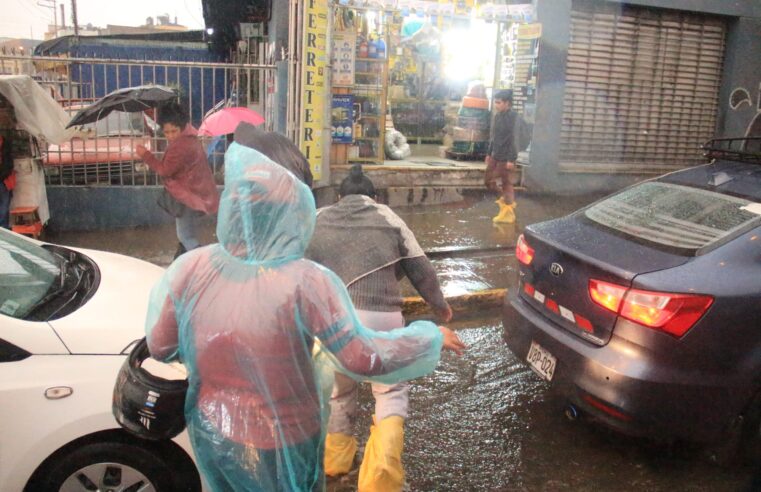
(742, 69)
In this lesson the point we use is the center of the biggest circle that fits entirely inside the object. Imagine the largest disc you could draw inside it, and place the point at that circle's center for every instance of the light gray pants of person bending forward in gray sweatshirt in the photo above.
(389, 399)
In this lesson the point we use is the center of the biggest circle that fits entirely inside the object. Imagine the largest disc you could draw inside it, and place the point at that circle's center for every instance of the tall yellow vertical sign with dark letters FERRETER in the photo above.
(313, 82)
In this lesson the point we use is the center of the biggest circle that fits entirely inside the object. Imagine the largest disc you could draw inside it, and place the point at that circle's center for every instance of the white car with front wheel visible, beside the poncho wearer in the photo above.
(68, 319)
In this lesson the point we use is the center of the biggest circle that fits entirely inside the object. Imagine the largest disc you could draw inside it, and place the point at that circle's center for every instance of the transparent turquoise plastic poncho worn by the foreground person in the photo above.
(261, 331)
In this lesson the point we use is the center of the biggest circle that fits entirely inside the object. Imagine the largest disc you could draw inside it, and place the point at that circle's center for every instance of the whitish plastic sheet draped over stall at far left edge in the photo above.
(35, 109)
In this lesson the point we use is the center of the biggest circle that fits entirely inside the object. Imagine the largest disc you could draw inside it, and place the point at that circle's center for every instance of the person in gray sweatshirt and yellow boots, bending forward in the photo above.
(371, 249)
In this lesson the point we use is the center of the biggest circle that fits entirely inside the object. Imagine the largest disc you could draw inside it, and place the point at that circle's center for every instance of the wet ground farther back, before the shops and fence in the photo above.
(461, 225)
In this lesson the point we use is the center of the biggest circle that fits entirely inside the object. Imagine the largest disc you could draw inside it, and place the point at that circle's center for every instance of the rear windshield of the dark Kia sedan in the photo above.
(675, 216)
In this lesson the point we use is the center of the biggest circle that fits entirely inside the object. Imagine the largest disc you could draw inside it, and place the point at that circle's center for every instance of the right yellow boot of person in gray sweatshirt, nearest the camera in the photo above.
(381, 469)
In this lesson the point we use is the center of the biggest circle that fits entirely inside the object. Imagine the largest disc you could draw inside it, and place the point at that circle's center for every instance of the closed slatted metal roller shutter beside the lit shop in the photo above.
(641, 89)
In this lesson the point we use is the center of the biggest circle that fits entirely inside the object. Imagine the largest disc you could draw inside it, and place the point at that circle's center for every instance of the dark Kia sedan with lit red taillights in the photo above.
(644, 308)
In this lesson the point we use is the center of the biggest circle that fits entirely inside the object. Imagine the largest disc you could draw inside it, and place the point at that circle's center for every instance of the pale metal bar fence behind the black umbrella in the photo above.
(106, 156)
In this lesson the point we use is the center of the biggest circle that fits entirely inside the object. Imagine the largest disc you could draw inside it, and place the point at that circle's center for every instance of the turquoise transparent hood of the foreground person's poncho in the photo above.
(265, 214)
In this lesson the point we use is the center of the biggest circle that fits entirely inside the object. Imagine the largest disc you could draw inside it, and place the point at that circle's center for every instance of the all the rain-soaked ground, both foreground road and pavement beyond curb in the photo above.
(483, 421)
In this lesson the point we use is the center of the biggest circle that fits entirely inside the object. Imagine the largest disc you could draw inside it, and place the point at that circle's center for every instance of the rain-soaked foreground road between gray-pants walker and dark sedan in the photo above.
(484, 422)
